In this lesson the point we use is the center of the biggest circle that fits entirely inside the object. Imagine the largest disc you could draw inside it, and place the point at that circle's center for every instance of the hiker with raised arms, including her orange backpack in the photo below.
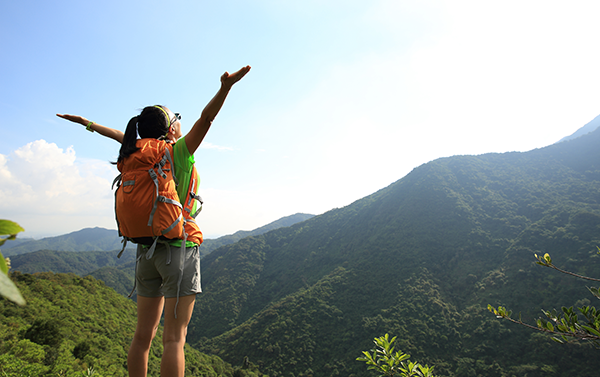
(168, 268)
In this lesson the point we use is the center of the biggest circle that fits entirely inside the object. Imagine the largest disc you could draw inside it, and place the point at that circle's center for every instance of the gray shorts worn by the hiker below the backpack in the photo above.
(161, 275)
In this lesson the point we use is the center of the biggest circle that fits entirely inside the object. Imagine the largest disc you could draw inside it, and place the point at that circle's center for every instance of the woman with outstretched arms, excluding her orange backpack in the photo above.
(157, 280)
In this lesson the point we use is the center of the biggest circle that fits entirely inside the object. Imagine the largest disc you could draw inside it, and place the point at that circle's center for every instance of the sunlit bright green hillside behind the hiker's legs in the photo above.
(71, 324)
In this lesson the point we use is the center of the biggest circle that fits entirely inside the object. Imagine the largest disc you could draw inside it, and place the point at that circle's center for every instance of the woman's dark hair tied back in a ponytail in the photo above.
(151, 123)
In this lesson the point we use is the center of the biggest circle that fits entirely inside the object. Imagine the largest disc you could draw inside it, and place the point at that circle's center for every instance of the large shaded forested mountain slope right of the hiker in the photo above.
(420, 259)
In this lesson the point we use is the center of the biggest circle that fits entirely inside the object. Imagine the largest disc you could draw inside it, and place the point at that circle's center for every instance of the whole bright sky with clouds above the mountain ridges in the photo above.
(344, 97)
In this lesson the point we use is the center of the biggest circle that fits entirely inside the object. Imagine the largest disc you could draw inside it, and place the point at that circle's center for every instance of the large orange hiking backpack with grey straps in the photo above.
(147, 206)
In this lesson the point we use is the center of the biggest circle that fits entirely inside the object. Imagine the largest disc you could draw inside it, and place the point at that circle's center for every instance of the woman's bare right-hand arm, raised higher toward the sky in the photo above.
(202, 125)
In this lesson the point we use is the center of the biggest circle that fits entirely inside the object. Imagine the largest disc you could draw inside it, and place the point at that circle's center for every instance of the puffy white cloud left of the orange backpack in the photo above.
(48, 191)
